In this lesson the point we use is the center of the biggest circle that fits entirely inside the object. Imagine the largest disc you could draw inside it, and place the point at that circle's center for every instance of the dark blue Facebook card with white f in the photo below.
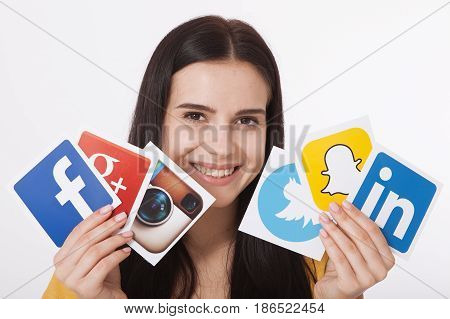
(62, 189)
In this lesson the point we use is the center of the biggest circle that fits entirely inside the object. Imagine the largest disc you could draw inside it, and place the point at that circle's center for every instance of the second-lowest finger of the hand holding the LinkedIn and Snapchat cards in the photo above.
(349, 249)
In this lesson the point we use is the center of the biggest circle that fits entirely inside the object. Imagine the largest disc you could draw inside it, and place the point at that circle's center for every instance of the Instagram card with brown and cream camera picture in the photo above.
(173, 202)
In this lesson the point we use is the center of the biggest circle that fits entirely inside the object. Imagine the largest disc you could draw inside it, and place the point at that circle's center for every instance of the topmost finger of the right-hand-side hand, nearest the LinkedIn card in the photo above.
(373, 231)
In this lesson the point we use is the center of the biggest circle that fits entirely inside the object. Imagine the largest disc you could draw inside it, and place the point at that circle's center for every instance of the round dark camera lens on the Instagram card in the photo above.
(156, 208)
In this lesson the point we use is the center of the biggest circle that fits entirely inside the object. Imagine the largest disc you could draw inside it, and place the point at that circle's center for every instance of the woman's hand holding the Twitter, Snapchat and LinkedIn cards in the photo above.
(359, 256)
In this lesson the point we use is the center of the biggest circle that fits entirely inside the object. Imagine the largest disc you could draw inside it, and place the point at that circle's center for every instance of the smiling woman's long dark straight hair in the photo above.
(259, 269)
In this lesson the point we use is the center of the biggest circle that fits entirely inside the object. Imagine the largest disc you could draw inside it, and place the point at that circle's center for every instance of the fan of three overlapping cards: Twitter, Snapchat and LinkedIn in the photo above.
(339, 163)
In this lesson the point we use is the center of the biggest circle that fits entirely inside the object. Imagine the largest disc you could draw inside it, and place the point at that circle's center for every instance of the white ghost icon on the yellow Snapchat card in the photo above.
(342, 170)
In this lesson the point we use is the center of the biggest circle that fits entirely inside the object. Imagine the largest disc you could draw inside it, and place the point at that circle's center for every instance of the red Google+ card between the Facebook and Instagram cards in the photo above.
(124, 167)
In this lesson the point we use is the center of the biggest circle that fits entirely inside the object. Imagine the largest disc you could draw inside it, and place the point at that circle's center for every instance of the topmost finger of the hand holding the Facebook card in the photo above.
(83, 227)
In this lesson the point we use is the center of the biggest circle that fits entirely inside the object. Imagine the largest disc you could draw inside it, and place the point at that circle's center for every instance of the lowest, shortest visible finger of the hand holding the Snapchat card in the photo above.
(343, 267)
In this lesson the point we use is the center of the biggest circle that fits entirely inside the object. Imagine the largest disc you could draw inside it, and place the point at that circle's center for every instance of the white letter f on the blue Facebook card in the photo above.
(70, 190)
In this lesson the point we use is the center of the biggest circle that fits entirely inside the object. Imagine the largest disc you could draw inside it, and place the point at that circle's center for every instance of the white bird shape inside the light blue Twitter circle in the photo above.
(297, 208)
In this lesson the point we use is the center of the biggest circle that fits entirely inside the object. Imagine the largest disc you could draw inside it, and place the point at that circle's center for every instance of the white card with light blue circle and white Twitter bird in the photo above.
(279, 211)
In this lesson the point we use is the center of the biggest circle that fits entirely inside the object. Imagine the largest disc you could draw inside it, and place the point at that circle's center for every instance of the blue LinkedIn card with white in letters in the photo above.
(397, 196)
